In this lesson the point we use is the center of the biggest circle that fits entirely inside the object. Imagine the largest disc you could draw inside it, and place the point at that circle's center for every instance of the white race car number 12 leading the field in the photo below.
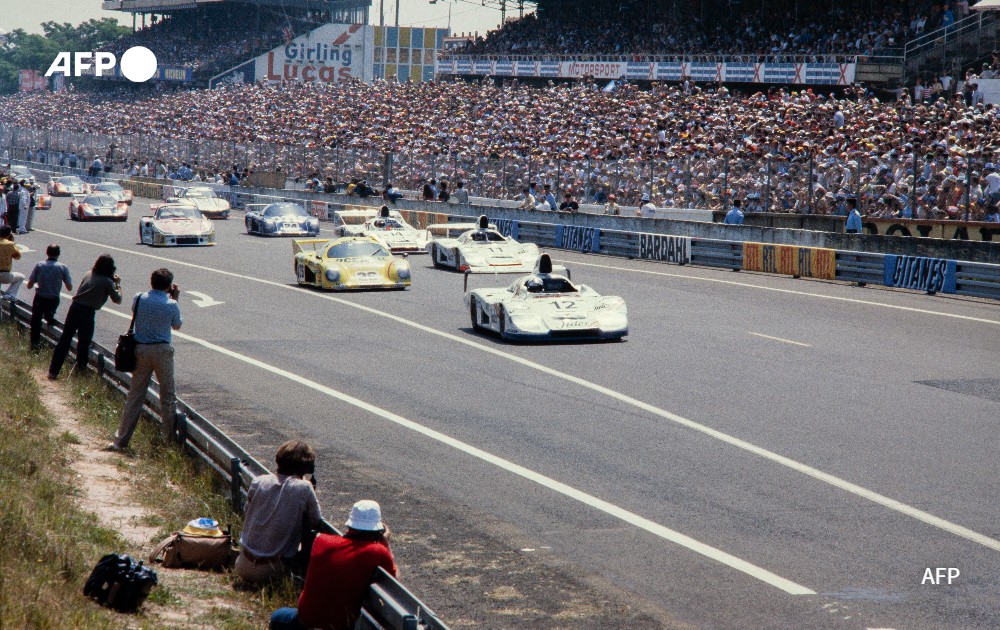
(545, 306)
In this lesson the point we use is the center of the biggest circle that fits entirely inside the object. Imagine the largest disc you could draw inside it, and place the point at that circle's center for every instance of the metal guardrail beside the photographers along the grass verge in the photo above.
(388, 606)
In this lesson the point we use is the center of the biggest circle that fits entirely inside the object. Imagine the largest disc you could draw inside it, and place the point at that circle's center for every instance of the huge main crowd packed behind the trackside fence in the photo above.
(685, 145)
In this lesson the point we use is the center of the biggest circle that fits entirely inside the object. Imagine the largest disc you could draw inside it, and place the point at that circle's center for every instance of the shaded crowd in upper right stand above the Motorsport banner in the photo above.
(775, 28)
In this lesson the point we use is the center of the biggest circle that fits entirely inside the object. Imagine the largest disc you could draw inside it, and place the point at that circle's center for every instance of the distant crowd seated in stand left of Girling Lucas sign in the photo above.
(211, 39)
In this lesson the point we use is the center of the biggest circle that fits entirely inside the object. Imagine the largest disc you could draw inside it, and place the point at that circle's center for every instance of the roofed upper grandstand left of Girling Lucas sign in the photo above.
(194, 39)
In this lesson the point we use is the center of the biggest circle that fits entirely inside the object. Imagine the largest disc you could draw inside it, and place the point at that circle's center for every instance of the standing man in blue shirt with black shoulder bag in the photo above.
(156, 315)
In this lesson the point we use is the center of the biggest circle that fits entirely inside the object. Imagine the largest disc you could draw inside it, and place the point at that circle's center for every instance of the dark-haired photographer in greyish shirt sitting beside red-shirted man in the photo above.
(281, 516)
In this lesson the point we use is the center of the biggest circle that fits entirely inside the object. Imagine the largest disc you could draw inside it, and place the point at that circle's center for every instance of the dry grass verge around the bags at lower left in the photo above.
(48, 544)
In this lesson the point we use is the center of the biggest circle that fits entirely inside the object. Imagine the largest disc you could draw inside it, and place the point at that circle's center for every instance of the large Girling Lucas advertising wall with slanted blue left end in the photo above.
(328, 54)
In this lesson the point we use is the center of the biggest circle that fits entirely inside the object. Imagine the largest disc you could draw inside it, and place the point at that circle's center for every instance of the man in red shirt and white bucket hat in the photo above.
(341, 568)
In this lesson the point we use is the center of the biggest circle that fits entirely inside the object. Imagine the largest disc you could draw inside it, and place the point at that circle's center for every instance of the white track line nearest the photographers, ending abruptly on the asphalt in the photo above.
(587, 499)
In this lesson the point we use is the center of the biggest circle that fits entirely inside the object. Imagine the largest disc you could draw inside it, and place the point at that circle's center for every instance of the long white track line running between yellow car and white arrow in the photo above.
(787, 462)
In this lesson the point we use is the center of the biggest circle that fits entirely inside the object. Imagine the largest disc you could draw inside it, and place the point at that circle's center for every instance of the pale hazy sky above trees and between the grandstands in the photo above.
(467, 16)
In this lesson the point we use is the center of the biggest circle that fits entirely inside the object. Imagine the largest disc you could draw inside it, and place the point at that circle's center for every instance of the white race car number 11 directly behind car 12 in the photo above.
(483, 250)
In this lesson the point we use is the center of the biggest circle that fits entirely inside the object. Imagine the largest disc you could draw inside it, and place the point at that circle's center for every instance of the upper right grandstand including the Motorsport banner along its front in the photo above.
(890, 42)
